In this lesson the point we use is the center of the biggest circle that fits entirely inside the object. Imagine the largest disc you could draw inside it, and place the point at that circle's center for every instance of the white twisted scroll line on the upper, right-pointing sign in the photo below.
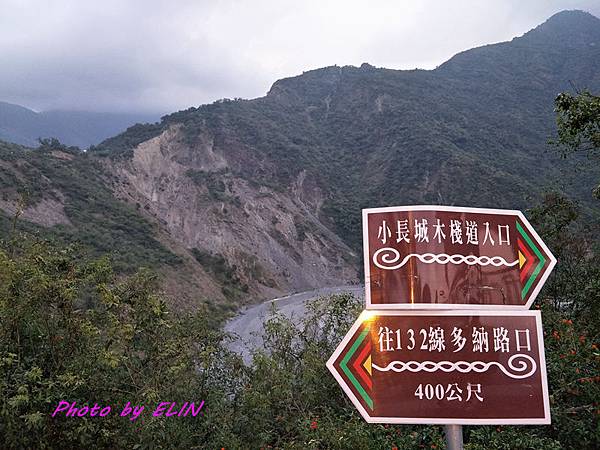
(387, 257)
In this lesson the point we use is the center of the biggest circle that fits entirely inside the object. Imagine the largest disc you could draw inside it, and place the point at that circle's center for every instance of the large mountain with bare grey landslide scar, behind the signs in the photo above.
(263, 196)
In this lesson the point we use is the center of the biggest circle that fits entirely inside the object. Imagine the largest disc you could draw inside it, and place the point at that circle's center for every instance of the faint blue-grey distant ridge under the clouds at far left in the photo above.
(24, 126)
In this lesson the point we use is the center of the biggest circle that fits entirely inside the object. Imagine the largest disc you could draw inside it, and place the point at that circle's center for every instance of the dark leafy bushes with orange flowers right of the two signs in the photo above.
(571, 318)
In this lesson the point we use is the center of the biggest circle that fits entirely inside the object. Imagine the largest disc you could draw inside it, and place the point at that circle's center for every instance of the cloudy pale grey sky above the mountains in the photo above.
(162, 56)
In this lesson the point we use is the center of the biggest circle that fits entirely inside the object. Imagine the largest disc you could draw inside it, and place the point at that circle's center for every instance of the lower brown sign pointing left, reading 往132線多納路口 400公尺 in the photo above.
(453, 367)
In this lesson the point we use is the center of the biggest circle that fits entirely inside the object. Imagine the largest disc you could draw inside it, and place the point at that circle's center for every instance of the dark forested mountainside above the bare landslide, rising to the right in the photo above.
(473, 132)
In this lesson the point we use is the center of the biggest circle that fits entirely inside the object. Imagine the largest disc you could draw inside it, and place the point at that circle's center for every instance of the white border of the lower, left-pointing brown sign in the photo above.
(546, 420)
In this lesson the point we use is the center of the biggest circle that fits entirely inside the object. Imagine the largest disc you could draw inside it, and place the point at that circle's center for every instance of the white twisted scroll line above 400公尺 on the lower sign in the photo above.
(519, 366)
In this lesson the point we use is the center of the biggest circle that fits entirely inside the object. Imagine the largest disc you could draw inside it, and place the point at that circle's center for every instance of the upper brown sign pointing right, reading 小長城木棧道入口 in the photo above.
(435, 257)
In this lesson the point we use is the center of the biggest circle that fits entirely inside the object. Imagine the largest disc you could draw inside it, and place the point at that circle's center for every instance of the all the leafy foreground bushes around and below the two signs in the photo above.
(71, 331)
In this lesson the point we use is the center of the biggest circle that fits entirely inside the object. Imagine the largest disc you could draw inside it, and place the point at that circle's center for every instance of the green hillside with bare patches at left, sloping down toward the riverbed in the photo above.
(66, 196)
